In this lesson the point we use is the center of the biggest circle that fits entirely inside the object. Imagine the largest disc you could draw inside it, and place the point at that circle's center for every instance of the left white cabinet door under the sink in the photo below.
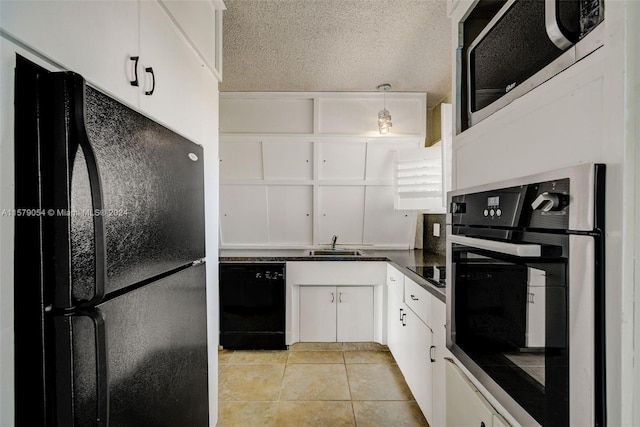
(318, 314)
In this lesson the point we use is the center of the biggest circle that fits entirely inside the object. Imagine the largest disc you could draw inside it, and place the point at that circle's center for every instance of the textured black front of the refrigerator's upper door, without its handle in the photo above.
(152, 186)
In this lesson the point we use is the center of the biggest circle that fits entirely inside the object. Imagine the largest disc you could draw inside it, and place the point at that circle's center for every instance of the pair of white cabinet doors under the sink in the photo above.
(336, 313)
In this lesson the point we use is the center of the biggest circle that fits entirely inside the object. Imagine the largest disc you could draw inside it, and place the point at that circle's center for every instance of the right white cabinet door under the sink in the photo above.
(355, 313)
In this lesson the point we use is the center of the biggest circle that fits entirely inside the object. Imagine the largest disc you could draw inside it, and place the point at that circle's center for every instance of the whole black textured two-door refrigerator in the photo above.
(110, 298)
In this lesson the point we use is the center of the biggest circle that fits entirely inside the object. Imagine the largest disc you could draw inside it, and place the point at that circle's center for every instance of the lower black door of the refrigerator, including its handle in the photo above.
(153, 370)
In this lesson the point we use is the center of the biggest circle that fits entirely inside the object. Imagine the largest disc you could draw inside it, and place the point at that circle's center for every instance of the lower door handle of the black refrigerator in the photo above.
(102, 378)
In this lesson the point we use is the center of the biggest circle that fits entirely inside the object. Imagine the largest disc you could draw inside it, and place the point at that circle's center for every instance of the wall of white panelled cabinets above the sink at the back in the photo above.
(316, 147)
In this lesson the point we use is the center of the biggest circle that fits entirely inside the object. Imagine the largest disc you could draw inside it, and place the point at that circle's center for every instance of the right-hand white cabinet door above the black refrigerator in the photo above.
(175, 82)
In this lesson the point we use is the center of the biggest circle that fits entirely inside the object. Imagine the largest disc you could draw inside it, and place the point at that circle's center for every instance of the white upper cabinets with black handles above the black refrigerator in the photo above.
(130, 49)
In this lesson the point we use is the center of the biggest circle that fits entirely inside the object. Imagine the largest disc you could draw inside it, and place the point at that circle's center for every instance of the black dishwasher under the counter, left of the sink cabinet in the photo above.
(252, 305)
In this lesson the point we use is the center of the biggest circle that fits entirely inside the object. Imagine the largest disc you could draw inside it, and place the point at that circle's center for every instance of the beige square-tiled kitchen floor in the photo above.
(315, 384)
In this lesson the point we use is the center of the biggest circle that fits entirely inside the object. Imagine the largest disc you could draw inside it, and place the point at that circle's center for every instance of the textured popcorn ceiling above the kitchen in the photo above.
(337, 45)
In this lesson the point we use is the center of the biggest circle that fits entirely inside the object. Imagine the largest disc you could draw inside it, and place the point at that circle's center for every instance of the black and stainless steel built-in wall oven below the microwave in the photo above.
(526, 311)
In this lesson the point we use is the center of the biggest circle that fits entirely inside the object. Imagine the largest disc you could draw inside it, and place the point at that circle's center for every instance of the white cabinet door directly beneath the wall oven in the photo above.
(465, 405)
